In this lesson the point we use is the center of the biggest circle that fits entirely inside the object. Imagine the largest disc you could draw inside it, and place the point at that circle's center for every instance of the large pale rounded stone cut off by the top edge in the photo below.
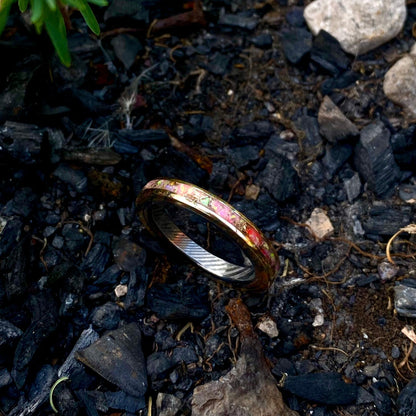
(358, 25)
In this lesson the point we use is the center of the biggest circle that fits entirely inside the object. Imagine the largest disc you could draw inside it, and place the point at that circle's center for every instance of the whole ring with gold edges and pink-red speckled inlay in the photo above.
(259, 263)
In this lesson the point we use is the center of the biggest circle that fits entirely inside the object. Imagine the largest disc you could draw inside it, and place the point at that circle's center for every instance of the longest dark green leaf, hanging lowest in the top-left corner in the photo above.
(55, 26)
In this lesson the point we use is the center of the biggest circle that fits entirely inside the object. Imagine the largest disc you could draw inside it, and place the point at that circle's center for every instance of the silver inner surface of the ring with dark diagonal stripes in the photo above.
(208, 261)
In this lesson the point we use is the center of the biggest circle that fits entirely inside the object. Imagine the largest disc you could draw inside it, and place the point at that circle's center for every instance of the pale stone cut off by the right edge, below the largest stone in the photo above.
(400, 82)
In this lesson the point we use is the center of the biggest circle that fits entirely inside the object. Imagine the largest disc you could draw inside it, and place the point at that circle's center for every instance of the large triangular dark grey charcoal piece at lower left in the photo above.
(118, 357)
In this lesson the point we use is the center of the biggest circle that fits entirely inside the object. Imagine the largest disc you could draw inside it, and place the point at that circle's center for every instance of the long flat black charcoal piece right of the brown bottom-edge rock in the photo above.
(326, 388)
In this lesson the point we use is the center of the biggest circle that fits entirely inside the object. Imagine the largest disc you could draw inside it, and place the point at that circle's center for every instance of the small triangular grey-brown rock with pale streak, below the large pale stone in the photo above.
(333, 124)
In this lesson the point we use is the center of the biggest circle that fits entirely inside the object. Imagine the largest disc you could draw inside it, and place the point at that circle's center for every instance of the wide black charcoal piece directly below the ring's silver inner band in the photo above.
(178, 301)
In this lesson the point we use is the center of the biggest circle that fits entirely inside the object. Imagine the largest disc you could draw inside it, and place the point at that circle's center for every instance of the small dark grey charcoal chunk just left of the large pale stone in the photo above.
(296, 42)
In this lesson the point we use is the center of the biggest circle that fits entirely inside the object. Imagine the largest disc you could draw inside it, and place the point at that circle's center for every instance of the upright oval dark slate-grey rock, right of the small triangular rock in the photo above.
(374, 160)
